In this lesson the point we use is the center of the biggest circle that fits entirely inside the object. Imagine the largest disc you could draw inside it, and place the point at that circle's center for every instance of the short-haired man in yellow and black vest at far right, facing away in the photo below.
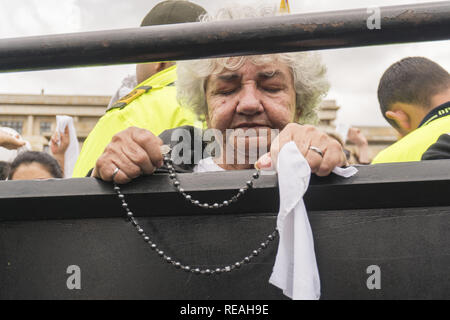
(414, 97)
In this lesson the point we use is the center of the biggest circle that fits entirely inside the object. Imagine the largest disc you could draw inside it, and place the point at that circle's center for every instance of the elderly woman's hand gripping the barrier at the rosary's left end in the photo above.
(134, 152)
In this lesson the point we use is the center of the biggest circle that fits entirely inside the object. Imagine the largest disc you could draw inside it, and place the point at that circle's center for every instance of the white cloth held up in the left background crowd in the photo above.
(72, 152)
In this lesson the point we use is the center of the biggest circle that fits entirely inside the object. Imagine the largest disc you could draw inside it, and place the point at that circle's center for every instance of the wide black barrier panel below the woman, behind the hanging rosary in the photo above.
(394, 216)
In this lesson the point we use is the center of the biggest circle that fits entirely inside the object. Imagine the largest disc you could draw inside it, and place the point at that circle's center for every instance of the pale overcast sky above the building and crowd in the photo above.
(353, 73)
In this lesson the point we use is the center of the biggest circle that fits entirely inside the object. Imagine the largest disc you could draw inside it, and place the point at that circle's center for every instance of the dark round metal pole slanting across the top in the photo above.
(297, 32)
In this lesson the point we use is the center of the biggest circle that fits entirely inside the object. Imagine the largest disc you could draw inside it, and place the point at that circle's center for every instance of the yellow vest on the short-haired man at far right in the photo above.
(413, 146)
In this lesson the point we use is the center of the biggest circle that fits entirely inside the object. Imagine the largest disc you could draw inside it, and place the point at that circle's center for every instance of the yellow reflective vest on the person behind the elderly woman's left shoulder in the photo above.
(152, 105)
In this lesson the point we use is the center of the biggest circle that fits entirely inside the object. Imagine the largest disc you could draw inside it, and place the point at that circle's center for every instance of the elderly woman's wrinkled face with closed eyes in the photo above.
(253, 97)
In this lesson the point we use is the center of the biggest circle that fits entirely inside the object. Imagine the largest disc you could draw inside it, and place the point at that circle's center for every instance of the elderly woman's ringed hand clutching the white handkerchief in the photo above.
(322, 152)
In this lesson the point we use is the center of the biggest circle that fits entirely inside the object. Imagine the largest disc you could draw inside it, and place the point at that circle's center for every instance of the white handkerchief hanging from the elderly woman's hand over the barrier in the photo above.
(295, 270)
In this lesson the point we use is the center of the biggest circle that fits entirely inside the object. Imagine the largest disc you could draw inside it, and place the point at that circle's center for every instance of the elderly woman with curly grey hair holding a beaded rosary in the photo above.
(265, 94)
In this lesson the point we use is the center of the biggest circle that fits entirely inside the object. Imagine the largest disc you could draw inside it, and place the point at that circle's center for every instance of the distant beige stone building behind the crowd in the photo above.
(34, 117)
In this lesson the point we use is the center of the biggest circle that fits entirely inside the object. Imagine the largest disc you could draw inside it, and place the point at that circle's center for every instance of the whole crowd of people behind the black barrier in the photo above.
(264, 99)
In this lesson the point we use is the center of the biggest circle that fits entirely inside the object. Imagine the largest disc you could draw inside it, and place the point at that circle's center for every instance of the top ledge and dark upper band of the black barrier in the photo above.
(422, 184)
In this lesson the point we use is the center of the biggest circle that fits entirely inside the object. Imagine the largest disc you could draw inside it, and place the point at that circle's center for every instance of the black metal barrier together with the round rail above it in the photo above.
(394, 216)
